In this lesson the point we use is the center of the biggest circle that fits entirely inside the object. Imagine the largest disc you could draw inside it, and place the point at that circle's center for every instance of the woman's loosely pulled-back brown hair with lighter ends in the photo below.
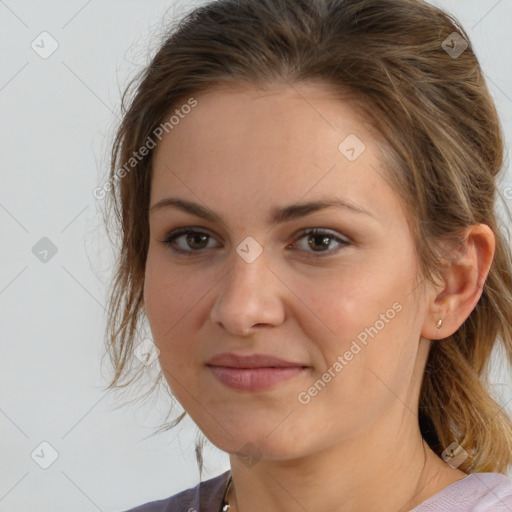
(445, 148)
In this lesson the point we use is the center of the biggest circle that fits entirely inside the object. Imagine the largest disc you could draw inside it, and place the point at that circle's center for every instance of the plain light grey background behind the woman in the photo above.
(57, 119)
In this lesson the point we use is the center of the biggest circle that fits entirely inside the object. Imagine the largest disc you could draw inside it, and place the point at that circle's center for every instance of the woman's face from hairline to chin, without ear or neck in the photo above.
(341, 307)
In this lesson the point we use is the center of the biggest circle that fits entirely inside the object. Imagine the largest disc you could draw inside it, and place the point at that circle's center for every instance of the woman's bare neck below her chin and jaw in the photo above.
(361, 473)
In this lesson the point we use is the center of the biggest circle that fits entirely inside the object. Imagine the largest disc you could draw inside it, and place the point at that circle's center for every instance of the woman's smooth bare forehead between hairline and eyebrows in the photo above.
(249, 146)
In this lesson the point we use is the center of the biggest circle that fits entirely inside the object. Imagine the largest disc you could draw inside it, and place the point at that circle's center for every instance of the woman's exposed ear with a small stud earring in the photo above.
(464, 276)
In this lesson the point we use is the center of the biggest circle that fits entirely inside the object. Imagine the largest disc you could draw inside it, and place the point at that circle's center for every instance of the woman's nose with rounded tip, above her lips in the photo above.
(248, 297)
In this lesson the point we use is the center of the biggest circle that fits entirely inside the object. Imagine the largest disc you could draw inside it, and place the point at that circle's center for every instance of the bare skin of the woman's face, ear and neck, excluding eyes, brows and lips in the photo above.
(356, 445)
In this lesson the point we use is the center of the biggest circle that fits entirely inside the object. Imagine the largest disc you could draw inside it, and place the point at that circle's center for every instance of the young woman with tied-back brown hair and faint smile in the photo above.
(306, 194)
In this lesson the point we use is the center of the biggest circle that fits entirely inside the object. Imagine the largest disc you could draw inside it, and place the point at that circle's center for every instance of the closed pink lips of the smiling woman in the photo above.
(252, 373)
